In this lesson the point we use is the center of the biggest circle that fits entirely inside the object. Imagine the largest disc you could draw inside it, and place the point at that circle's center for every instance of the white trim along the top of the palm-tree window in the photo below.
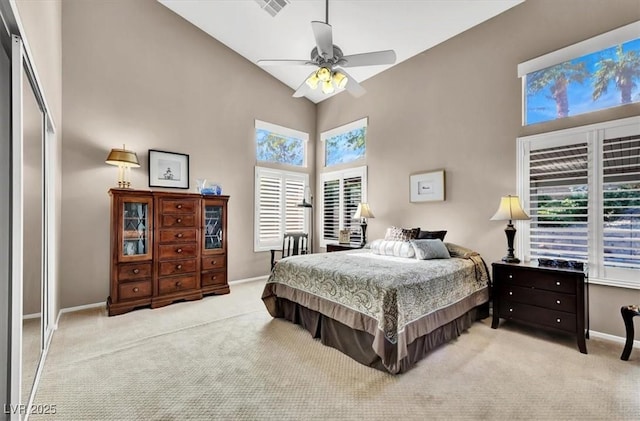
(591, 45)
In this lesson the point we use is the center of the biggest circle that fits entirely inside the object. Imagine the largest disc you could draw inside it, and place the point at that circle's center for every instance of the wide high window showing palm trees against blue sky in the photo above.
(595, 74)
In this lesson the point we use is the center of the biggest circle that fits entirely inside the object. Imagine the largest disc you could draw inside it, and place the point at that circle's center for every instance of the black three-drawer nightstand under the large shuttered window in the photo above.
(542, 296)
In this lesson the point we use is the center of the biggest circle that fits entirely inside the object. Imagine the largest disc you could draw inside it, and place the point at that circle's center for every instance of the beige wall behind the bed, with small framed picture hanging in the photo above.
(458, 107)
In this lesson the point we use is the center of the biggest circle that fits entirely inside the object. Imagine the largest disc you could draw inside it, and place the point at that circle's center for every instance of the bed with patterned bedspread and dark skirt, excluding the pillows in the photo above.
(386, 312)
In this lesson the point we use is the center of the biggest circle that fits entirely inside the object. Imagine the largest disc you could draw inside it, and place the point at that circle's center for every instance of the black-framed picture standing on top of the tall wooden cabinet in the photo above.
(168, 169)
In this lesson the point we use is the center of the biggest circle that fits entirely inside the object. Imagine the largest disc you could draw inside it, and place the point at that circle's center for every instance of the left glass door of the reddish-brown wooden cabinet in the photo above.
(135, 228)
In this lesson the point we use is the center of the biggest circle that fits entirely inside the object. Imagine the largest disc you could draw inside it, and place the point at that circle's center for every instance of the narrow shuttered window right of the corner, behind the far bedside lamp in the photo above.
(341, 193)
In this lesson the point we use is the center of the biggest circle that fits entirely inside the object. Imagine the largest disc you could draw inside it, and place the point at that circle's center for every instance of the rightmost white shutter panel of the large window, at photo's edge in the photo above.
(621, 202)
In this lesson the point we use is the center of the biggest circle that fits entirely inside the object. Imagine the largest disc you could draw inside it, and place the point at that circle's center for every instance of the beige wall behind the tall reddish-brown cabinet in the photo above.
(136, 73)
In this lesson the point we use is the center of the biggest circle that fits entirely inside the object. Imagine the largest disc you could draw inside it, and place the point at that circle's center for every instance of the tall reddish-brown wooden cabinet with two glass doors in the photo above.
(163, 248)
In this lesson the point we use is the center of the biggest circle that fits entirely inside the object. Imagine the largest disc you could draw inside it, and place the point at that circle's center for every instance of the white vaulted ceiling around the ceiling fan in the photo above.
(359, 26)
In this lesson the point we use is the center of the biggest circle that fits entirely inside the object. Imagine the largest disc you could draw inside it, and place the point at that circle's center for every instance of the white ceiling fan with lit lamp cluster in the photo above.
(331, 62)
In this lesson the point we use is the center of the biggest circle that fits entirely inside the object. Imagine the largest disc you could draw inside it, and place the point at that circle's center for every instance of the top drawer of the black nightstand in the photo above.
(552, 280)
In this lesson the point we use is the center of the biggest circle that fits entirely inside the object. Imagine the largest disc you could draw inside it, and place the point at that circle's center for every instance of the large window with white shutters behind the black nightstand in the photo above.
(582, 190)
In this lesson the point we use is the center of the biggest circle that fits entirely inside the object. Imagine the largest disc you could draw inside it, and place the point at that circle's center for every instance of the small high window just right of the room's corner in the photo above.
(345, 144)
